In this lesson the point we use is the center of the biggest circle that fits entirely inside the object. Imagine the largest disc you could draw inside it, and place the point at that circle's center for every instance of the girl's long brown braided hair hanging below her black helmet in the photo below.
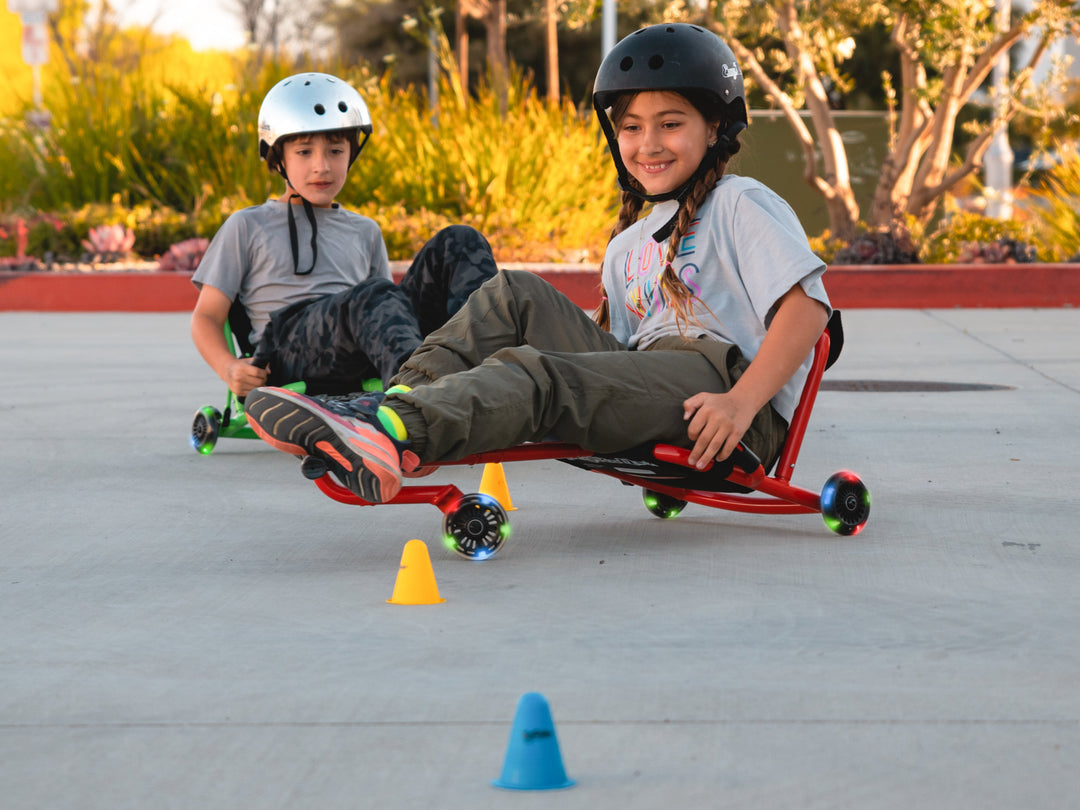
(674, 291)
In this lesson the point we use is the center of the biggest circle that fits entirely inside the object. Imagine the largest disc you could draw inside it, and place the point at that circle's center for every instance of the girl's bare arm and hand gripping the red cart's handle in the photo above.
(719, 422)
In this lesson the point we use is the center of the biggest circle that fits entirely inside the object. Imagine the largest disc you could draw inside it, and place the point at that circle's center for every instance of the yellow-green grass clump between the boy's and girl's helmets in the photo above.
(537, 175)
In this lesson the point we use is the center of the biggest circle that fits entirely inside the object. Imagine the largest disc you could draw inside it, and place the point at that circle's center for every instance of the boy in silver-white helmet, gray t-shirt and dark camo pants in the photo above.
(314, 279)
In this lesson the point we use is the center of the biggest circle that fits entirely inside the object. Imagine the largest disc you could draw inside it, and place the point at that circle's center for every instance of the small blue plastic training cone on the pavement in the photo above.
(534, 762)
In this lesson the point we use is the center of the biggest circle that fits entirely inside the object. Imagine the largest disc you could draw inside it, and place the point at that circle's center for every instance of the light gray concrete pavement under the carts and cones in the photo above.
(212, 632)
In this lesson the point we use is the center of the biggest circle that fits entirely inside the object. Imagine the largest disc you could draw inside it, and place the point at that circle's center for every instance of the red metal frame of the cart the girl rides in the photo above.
(772, 494)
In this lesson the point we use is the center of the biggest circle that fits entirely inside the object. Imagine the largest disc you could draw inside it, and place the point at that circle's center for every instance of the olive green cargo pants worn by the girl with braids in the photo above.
(520, 362)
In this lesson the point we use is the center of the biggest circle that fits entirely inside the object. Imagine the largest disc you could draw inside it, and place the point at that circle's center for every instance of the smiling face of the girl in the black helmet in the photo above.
(663, 140)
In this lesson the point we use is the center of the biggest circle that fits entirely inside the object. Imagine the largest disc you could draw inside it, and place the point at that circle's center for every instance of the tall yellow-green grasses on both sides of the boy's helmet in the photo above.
(535, 179)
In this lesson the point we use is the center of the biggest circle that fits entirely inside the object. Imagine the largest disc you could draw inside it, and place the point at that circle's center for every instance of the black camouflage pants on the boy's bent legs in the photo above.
(337, 342)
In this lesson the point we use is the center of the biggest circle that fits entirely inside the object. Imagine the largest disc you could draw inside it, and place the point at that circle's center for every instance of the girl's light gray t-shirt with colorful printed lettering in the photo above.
(742, 253)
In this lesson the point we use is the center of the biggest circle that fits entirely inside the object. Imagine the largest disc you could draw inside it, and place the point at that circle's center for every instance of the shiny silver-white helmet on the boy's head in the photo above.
(309, 103)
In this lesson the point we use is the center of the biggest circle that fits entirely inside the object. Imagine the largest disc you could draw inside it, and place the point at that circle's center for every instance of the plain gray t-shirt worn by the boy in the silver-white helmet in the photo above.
(251, 258)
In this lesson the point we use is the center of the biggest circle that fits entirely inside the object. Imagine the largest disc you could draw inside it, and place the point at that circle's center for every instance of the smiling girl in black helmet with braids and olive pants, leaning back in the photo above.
(712, 305)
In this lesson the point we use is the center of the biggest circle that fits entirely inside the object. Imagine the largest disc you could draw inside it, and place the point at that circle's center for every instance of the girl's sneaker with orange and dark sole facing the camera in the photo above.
(355, 448)
